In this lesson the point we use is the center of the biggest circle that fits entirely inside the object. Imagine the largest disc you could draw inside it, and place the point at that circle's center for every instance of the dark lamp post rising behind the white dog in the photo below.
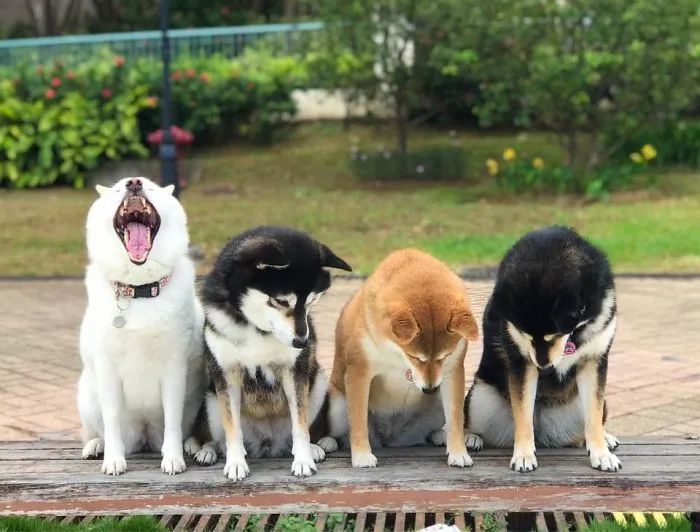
(168, 154)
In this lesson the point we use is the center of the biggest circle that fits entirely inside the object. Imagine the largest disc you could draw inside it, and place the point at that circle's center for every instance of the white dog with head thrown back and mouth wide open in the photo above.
(141, 337)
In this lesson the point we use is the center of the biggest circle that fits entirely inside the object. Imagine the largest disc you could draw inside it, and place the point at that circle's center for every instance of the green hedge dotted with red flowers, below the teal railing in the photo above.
(60, 119)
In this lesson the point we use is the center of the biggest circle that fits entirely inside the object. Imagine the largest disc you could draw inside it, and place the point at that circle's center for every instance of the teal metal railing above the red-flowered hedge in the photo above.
(229, 41)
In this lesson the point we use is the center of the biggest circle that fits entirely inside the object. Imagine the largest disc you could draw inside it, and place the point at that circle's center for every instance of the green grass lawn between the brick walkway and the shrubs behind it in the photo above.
(304, 182)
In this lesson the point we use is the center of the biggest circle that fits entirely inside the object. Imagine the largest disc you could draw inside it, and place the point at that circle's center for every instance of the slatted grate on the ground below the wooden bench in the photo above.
(390, 521)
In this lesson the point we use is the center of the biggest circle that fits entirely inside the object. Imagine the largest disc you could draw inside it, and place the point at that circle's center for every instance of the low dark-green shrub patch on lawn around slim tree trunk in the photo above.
(433, 163)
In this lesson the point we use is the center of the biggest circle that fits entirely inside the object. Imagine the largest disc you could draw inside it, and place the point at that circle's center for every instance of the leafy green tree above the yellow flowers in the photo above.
(593, 71)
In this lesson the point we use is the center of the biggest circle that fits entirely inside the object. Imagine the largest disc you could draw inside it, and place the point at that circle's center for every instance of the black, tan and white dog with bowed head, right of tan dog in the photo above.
(548, 328)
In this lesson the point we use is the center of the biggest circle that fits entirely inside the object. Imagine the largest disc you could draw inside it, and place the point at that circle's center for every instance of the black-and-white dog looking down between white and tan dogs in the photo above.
(267, 394)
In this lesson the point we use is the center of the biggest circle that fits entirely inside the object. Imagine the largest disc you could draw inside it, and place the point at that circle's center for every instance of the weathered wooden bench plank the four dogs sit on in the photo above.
(660, 474)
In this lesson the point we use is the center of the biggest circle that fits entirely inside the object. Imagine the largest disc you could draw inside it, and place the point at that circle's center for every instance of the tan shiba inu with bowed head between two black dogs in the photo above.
(402, 337)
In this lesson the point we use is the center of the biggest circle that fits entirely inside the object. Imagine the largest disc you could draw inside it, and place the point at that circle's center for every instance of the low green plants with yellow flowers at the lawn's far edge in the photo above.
(522, 174)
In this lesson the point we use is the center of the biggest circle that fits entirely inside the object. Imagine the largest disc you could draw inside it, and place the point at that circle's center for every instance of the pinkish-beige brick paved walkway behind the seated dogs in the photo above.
(653, 383)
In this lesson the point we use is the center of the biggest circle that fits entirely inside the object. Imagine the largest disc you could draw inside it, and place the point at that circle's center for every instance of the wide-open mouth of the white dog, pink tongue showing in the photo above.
(136, 222)
